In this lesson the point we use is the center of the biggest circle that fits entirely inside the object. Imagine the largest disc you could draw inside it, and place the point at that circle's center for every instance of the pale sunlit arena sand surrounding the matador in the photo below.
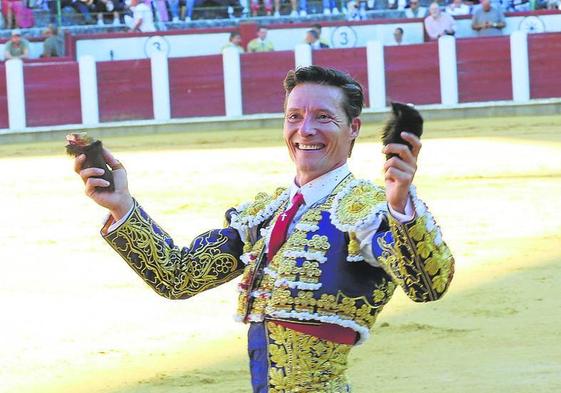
(76, 319)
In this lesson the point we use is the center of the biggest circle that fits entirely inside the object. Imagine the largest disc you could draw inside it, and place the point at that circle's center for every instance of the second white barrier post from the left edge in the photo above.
(88, 90)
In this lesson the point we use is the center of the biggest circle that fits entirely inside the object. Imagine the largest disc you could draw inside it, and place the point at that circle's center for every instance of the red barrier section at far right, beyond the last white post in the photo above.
(545, 65)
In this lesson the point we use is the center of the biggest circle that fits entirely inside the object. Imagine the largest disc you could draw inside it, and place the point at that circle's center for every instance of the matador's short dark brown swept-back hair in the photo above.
(352, 90)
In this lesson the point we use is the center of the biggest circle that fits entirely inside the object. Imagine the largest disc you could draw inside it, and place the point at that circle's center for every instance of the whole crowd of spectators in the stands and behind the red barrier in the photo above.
(487, 18)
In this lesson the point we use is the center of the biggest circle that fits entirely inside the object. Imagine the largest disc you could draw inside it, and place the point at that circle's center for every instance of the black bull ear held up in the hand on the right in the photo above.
(403, 118)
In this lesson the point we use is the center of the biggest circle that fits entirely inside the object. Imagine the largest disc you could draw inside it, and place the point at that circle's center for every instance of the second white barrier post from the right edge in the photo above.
(448, 70)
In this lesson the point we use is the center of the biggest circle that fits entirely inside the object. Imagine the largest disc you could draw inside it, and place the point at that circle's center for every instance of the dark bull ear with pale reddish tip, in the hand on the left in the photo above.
(81, 143)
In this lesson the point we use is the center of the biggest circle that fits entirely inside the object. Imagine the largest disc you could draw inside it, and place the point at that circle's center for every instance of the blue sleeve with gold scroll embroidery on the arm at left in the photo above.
(212, 259)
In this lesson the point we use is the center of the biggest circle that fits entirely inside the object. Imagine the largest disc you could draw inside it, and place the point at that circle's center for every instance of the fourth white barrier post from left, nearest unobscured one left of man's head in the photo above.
(232, 82)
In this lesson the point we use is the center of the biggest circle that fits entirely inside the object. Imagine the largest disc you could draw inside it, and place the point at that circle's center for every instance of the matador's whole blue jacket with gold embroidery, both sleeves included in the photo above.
(318, 275)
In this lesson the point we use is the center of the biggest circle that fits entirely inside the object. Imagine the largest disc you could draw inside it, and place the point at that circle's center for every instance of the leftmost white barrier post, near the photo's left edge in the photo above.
(16, 94)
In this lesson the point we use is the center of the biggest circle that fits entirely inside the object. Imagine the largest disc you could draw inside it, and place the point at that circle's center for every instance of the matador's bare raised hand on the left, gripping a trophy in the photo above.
(118, 202)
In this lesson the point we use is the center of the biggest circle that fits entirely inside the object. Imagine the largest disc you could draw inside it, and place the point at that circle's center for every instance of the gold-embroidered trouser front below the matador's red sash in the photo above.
(300, 363)
